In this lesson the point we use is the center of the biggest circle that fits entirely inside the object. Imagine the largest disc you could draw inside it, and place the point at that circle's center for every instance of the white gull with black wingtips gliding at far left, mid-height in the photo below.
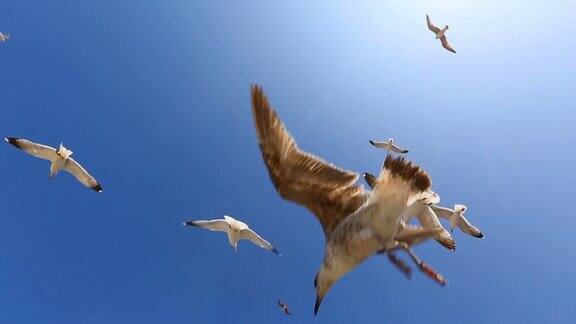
(60, 160)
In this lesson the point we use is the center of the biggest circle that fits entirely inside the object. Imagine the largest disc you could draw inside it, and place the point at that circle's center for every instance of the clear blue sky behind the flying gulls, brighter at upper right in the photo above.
(153, 98)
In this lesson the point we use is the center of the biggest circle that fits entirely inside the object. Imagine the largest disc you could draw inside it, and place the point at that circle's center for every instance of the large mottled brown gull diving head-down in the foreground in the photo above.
(356, 223)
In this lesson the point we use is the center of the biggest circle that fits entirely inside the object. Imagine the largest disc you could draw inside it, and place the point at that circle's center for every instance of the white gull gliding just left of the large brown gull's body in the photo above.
(236, 231)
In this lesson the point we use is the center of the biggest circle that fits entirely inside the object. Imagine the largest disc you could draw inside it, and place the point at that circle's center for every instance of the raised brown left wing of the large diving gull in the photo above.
(325, 189)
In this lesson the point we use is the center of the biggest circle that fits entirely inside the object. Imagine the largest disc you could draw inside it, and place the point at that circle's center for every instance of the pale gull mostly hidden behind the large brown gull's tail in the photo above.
(424, 214)
